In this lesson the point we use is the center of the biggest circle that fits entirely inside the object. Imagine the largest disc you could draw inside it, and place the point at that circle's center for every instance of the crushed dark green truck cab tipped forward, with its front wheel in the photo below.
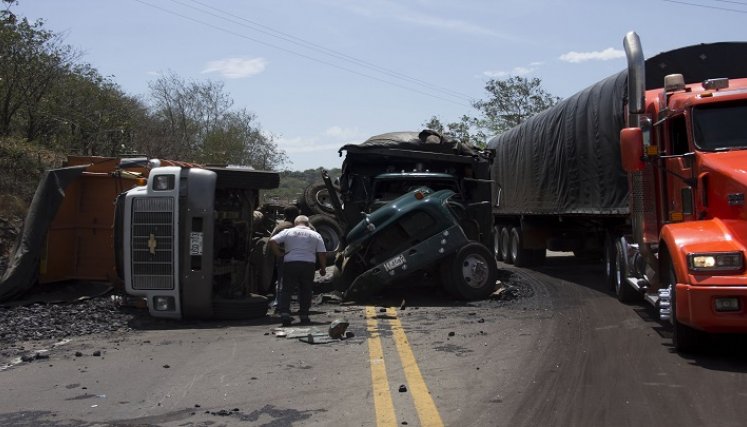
(419, 233)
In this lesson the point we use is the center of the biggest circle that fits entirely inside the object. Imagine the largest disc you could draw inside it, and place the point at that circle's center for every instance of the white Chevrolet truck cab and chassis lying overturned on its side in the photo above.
(189, 240)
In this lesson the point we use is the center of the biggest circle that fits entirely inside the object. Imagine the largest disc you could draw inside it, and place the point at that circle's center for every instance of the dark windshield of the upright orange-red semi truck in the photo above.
(720, 126)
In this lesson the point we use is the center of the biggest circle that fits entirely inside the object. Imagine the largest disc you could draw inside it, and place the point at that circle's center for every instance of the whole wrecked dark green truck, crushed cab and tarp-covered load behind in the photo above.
(409, 200)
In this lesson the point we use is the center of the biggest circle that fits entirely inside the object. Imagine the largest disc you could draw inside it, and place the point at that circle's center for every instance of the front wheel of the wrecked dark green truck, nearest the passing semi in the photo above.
(473, 272)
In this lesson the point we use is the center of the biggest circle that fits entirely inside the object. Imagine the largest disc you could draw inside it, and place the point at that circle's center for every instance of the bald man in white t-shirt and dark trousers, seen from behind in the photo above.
(302, 247)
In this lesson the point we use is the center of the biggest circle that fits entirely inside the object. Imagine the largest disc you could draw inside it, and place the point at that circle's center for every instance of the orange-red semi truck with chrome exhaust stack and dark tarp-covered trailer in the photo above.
(647, 170)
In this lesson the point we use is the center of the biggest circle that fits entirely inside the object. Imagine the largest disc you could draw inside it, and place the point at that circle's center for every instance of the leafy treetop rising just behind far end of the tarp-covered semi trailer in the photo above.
(511, 102)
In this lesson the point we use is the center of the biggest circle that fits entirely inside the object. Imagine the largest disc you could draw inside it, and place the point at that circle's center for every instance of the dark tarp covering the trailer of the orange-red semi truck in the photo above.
(566, 159)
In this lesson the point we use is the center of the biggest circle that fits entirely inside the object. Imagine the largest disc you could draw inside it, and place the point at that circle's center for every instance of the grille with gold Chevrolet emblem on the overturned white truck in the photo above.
(152, 245)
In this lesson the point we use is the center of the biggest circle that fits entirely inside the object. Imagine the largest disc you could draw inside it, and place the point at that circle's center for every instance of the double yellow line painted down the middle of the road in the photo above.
(424, 405)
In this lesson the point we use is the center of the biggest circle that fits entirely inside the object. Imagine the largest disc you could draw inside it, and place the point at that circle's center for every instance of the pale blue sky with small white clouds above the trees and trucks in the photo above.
(319, 74)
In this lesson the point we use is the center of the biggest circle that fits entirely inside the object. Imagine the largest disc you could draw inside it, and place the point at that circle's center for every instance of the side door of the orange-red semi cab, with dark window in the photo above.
(678, 176)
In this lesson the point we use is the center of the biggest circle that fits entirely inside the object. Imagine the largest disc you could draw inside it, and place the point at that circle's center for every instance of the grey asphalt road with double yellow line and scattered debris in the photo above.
(563, 353)
